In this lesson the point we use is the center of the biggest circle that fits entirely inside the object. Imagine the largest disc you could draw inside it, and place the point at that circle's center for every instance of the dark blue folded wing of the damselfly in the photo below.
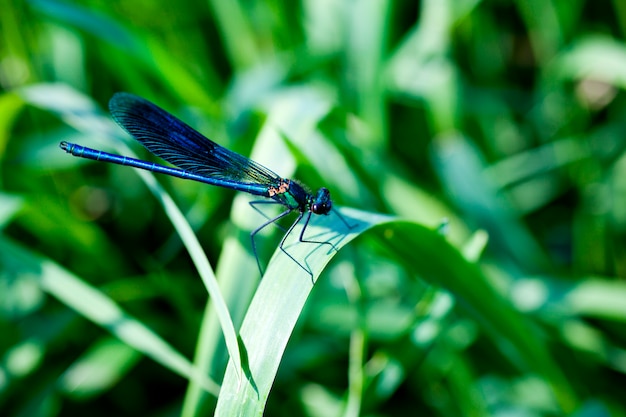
(173, 140)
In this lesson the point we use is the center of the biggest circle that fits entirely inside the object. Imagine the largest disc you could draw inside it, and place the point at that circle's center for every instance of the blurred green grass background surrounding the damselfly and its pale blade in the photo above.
(505, 118)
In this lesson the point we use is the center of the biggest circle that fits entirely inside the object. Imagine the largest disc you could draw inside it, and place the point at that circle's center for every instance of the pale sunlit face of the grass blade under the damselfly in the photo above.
(276, 307)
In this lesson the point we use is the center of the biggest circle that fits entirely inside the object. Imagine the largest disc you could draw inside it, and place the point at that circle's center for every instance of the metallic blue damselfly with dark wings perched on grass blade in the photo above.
(200, 159)
